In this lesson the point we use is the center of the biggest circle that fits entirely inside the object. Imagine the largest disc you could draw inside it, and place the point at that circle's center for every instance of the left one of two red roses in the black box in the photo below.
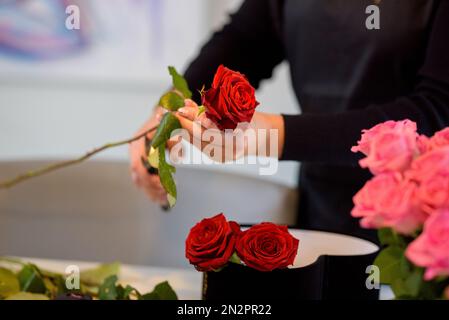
(211, 243)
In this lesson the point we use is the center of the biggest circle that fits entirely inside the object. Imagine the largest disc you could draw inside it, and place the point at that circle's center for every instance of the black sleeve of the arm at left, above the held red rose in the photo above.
(250, 43)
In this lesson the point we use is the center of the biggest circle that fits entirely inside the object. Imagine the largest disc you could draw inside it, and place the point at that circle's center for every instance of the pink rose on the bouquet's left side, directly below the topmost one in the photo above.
(389, 200)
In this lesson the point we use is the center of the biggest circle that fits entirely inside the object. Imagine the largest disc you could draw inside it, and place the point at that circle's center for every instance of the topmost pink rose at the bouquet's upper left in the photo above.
(389, 146)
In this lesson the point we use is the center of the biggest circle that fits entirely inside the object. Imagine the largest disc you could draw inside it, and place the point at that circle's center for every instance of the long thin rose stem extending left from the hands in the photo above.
(59, 165)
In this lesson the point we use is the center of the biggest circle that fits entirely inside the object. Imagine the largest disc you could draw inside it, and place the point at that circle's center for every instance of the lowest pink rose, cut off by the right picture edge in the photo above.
(431, 249)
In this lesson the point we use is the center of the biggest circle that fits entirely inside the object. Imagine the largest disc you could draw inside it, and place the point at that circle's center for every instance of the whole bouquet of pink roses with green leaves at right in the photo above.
(408, 201)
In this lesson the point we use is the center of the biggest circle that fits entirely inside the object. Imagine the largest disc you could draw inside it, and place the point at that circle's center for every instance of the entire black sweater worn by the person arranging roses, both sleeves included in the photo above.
(346, 78)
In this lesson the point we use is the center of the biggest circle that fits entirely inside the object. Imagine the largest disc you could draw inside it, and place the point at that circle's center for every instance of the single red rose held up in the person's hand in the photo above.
(231, 99)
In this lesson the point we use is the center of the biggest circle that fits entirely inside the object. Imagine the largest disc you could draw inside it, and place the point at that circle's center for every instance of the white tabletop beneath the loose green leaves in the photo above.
(186, 282)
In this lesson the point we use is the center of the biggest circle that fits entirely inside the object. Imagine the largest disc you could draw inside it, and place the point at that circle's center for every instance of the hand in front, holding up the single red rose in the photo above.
(264, 136)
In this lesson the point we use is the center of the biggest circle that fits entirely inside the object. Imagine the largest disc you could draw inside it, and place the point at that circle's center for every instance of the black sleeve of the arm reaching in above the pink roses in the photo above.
(328, 138)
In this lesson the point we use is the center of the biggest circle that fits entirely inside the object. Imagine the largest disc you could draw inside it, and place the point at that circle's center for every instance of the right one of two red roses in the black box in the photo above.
(266, 247)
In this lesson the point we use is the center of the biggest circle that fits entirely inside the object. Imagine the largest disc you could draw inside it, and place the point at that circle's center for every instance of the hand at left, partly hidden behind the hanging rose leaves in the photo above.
(149, 183)
